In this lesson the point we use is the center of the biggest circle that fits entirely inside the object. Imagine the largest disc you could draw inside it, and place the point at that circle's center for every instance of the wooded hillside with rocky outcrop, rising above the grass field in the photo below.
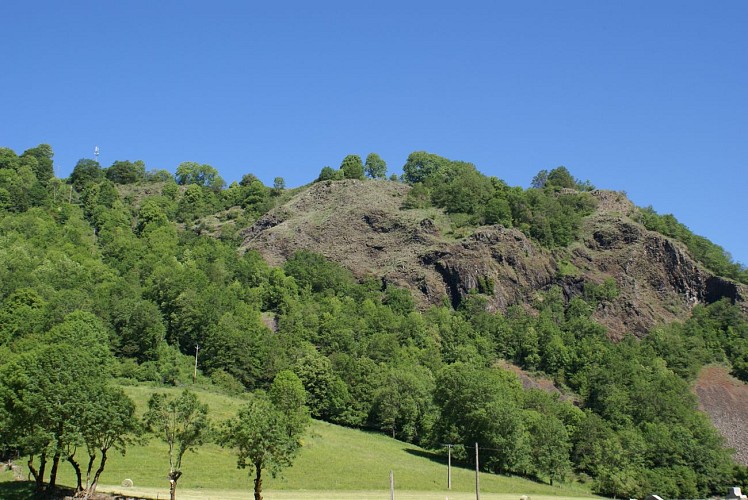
(446, 308)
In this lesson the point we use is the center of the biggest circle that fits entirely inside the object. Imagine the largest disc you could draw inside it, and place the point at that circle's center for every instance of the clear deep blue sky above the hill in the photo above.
(649, 97)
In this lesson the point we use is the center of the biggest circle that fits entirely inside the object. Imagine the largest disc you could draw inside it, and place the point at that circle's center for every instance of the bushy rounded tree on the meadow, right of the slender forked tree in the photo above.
(266, 433)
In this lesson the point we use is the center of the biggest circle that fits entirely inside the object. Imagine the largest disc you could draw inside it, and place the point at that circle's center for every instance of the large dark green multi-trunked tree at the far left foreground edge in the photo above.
(48, 392)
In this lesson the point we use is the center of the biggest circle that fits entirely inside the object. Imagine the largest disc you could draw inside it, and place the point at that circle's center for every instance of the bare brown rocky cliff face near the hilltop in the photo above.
(360, 225)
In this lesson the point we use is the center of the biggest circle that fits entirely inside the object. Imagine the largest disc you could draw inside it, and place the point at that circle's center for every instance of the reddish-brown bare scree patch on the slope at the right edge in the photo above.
(725, 399)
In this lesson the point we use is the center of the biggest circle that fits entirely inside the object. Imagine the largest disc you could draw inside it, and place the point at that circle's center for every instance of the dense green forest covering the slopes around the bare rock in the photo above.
(112, 271)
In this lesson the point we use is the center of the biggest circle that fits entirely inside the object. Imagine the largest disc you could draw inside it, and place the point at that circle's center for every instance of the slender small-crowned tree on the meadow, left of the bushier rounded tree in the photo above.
(182, 422)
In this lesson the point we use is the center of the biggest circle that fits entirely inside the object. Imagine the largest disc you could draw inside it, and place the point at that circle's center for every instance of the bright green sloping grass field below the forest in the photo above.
(334, 463)
